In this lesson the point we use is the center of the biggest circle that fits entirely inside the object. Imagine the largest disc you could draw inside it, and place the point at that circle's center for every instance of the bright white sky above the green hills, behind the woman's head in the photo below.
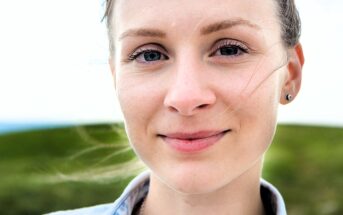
(53, 64)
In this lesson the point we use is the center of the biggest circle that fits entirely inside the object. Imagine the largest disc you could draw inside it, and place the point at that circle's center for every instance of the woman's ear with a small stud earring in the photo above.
(294, 73)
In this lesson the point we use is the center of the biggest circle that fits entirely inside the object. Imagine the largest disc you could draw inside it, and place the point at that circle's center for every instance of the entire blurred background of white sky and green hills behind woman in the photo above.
(62, 142)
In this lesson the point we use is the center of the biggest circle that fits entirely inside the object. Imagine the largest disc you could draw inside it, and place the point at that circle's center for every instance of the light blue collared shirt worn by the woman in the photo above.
(138, 188)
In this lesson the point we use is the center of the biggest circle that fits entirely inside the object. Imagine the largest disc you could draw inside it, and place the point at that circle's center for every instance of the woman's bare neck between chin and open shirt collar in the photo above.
(240, 196)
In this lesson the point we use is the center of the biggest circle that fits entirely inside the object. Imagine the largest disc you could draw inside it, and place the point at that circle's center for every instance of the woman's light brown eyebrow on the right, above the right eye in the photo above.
(225, 24)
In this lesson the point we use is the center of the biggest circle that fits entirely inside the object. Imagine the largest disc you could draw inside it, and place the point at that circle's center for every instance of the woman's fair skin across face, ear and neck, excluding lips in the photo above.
(193, 87)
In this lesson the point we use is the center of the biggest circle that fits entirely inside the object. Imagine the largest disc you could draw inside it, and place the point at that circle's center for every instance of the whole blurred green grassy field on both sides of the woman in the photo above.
(54, 169)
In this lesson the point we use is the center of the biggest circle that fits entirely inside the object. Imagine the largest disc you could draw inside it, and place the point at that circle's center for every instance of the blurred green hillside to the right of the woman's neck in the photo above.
(306, 164)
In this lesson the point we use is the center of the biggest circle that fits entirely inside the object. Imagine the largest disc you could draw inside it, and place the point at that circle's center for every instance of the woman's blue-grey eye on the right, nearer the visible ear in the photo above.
(229, 48)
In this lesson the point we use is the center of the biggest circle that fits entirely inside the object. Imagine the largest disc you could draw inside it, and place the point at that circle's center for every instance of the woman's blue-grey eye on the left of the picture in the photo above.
(148, 54)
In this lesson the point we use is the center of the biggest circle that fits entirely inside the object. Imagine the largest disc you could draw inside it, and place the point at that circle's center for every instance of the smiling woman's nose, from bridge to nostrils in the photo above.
(189, 91)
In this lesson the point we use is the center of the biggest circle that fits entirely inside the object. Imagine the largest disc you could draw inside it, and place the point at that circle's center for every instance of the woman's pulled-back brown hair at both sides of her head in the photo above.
(287, 11)
